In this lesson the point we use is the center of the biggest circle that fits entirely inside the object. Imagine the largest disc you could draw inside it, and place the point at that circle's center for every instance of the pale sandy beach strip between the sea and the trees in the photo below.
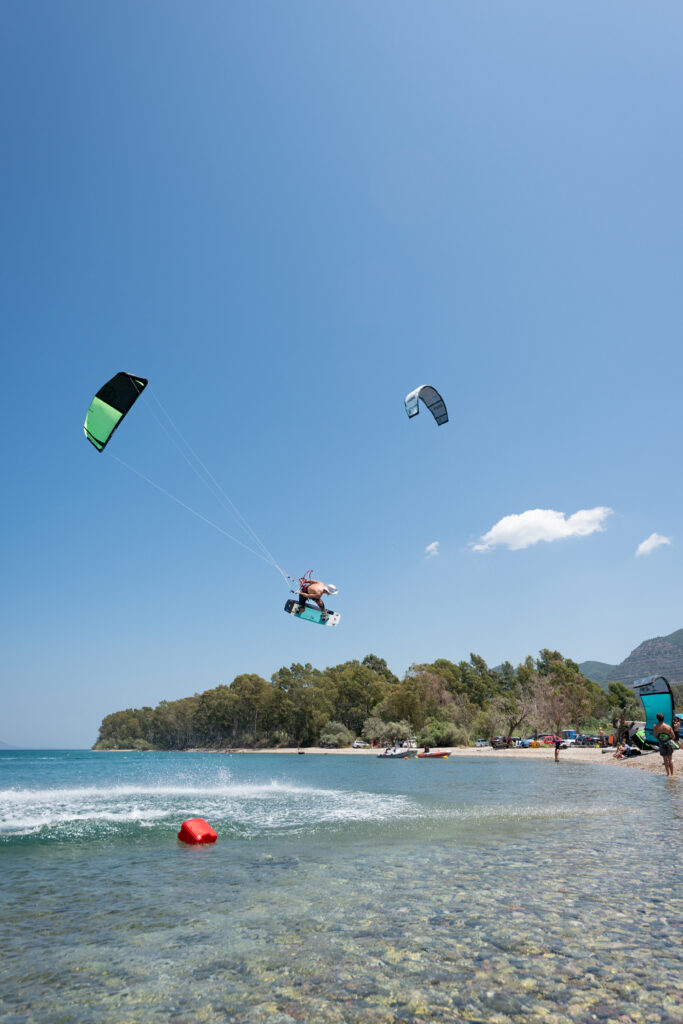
(573, 755)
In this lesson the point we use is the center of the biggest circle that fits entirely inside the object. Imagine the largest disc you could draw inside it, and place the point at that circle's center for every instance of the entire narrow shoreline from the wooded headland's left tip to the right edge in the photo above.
(652, 763)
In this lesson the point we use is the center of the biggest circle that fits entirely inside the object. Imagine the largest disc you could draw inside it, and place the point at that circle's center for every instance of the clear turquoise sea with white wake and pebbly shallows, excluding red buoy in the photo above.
(343, 889)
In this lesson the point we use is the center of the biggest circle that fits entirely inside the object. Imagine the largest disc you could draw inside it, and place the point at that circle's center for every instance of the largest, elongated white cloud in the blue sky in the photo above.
(524, 530)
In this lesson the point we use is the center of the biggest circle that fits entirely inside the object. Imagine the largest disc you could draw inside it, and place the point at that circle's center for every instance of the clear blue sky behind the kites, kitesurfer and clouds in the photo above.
(287, 217)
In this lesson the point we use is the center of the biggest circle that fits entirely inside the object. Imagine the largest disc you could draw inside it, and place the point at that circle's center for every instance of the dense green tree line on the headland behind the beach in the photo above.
(440, 704)
